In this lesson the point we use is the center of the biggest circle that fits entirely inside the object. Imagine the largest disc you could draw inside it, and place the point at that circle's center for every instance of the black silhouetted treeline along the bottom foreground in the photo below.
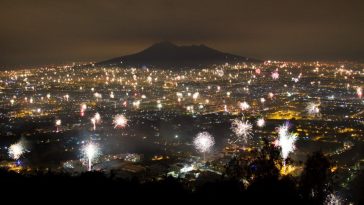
(255, 182)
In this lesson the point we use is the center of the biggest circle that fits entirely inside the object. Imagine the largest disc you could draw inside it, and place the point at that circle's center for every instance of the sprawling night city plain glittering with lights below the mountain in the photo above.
(165, 109)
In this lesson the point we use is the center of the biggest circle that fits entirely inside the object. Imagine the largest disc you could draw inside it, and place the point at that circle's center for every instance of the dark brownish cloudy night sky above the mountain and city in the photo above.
(45, 31)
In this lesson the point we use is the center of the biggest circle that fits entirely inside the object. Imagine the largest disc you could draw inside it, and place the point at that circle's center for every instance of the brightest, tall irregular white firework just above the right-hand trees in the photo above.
(286, 141)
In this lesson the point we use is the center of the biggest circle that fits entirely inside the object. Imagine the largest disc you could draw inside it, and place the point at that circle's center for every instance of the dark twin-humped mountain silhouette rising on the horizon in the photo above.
(169, 55)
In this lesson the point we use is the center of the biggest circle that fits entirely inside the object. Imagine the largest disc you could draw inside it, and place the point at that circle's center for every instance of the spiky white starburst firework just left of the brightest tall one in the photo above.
(242, 129)
